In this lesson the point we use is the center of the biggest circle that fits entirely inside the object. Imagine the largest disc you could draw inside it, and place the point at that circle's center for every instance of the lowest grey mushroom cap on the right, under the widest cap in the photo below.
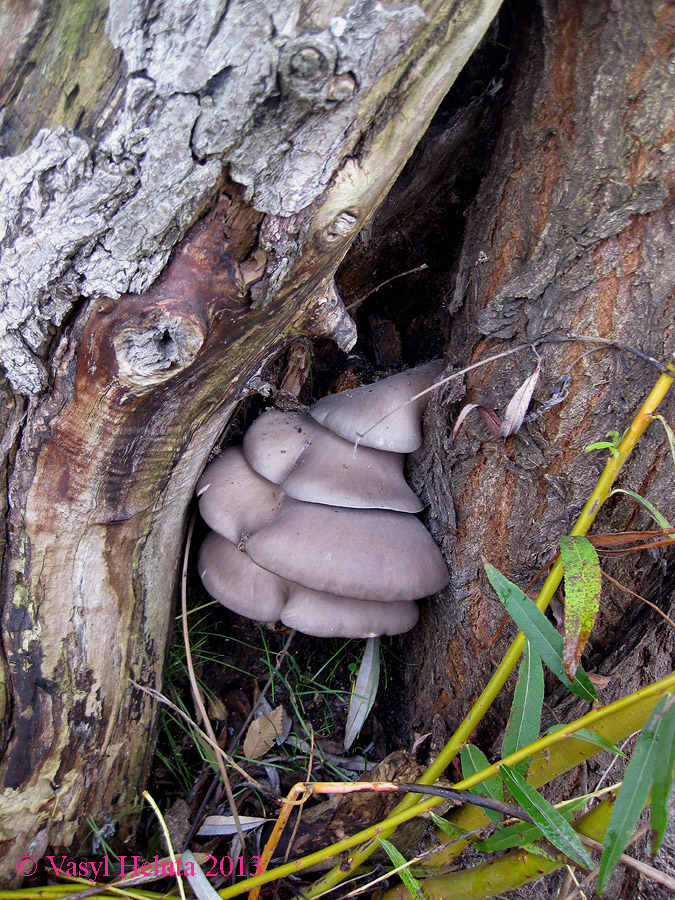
(325, 615)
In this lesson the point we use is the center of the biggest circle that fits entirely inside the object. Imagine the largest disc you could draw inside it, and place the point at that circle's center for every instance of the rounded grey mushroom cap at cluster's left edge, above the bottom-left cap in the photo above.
(233, 498)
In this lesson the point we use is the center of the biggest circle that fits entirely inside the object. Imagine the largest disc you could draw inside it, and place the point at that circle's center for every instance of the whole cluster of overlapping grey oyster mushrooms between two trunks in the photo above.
(313, 530)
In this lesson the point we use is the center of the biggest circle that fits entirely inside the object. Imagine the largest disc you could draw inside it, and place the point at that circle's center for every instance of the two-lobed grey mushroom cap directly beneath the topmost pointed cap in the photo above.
(315, 465)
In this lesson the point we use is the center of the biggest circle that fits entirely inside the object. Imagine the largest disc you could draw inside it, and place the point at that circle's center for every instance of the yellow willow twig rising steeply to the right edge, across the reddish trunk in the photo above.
(550, 586)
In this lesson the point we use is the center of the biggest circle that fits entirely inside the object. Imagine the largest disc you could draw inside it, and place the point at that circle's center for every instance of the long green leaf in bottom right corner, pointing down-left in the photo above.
(632, 796)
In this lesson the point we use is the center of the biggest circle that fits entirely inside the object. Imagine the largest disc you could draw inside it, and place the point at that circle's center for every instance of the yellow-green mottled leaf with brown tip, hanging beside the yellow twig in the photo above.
(583, 585)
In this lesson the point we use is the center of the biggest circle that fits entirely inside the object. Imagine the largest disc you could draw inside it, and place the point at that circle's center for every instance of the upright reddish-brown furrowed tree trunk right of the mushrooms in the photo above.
(572, 232)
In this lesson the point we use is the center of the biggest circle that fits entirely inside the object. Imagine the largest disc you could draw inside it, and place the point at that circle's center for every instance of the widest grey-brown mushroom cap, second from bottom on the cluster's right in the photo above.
(362, 553)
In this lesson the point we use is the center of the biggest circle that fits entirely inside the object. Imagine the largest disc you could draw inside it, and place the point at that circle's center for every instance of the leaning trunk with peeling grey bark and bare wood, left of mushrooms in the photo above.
(128, 333)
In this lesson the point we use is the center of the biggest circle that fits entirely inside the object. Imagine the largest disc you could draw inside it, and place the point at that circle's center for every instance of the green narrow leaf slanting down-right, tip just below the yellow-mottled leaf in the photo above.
(539, 631)
